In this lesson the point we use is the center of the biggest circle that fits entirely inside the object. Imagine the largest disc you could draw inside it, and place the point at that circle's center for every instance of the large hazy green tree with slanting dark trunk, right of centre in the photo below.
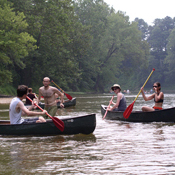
(117, 45)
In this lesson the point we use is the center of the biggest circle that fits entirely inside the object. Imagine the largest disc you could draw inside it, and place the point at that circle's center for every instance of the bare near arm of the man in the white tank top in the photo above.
(25, 111)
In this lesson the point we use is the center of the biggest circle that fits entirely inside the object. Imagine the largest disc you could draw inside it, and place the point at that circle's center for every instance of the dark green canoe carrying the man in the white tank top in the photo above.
(75, 125)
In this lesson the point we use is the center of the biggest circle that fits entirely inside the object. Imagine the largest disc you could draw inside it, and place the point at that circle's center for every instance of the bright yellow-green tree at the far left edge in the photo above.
(15, 42)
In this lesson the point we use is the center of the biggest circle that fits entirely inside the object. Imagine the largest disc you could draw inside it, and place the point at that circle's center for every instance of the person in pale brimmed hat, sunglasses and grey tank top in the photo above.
(120, 104)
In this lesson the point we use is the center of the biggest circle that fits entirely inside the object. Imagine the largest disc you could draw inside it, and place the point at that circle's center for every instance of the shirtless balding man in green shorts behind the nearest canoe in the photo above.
(48, 92)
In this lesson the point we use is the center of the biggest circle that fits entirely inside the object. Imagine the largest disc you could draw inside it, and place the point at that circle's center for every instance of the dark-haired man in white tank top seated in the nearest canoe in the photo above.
(17, 109)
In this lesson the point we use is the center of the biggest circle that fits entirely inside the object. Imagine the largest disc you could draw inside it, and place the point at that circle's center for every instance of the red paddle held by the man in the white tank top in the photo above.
(58, 123)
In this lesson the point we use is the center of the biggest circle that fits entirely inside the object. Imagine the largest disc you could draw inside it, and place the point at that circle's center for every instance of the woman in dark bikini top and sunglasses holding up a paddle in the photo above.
(158, 97)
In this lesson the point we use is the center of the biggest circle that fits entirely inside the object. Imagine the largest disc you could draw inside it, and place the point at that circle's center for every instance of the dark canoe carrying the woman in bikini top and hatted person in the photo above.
(165, 115)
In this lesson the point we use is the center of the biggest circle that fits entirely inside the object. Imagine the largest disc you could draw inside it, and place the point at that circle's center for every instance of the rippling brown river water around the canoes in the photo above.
(114, 148)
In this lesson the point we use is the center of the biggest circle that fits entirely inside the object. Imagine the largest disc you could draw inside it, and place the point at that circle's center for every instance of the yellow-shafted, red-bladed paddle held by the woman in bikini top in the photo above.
(128, 110)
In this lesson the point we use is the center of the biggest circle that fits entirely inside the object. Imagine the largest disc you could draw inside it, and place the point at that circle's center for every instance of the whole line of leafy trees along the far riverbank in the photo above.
(83, 45)
